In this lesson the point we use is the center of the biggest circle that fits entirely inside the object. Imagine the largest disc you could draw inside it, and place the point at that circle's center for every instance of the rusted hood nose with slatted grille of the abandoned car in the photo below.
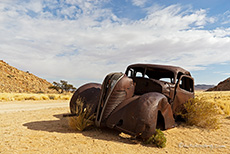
(121, 89)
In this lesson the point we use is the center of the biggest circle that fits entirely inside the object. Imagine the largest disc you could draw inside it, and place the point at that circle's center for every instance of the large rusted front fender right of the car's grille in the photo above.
(138, 115)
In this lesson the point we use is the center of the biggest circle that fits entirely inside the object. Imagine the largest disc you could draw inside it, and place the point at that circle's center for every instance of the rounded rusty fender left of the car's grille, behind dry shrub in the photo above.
(89, 94)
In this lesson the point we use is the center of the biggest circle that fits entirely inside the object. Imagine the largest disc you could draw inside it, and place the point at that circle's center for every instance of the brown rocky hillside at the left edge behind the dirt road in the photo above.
(14, 80)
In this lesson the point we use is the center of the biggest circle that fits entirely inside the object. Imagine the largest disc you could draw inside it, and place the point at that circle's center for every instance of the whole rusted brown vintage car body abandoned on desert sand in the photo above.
(146, 97)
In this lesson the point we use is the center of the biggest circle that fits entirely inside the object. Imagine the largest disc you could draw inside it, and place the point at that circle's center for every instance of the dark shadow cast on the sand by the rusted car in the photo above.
(61, 126)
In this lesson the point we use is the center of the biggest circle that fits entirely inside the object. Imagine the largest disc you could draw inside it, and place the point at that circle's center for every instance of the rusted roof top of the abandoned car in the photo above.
(174, 69)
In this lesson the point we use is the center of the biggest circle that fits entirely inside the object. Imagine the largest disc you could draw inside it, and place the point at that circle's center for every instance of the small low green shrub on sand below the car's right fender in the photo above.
(158, 139)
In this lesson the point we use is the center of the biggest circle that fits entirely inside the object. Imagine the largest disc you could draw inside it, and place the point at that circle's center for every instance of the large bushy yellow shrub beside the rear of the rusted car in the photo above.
(201, 113)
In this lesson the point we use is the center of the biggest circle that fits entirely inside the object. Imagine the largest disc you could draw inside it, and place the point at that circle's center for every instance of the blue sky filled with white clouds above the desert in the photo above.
(83, 40)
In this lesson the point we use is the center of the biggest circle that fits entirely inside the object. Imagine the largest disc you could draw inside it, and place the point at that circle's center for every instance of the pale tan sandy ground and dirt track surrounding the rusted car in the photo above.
(40, 128)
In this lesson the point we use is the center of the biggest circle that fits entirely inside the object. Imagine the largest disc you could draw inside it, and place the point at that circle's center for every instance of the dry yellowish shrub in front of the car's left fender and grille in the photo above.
(83, 118)
